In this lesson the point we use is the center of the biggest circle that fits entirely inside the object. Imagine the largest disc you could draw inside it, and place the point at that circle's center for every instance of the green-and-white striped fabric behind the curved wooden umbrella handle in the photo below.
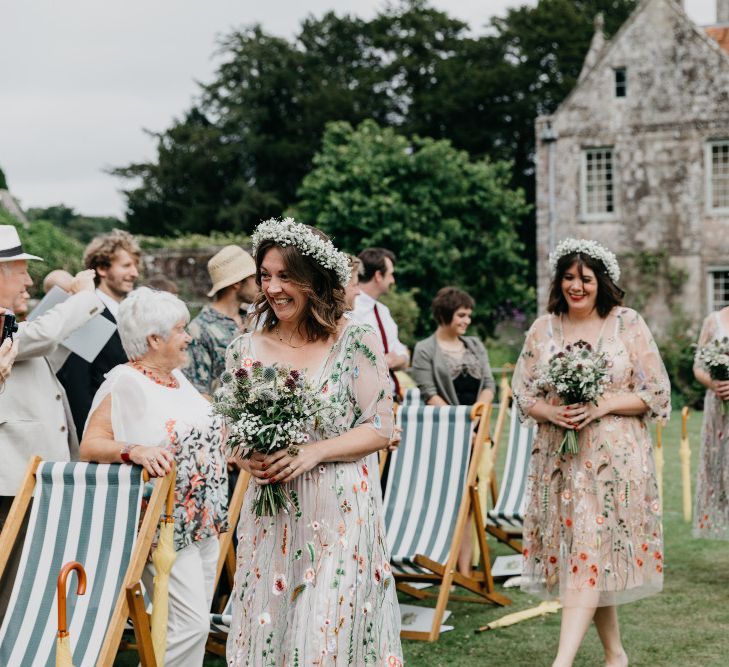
(85, 512)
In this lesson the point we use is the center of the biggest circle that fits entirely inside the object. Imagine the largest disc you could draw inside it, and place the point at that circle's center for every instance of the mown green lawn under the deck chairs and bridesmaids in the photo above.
(686, 625)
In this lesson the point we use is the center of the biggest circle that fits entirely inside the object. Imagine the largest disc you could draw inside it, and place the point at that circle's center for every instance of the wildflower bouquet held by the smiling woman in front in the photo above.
(267, 409)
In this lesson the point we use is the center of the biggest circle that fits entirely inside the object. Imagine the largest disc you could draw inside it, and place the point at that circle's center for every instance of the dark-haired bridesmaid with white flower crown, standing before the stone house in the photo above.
(592, 530)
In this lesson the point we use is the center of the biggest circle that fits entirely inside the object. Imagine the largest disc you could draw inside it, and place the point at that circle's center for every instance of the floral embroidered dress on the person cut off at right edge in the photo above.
(711, 518)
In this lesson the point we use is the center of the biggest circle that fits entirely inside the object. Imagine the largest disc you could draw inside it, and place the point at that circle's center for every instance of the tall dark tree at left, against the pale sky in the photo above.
(240, 154)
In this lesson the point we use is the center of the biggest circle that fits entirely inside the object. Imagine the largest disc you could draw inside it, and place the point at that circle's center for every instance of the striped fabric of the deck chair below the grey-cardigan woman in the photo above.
(428, 476)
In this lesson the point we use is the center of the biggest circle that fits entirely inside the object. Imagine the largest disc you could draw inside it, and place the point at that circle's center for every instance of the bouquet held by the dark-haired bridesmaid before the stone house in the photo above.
(578, 375)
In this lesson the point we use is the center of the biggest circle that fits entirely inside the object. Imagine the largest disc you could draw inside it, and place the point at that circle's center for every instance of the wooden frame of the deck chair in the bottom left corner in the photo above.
(129, 601)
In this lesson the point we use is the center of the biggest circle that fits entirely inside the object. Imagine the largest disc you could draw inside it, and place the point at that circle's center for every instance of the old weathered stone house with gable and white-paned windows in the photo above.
(637, 157)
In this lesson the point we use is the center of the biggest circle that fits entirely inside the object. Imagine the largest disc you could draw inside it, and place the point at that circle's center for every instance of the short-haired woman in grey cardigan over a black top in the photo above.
(449, 367)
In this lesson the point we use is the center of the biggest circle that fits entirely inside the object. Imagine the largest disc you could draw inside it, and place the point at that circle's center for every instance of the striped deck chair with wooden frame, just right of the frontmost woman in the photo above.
(432, 490)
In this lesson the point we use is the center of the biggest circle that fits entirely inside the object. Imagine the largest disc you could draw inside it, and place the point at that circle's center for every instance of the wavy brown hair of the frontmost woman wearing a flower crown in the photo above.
(325, 302)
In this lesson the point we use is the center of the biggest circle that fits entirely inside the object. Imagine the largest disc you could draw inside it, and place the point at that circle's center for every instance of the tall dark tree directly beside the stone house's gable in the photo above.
(485, 93)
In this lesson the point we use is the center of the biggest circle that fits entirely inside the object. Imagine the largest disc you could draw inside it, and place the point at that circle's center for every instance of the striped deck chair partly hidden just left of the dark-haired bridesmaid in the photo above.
(506, 520)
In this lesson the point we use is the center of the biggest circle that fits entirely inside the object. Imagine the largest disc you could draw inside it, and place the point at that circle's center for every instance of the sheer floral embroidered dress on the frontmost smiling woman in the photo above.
(314, 586)
